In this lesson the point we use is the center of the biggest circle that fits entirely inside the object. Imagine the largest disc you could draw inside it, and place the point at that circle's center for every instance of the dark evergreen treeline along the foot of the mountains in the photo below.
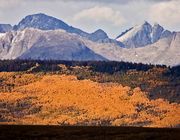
(97, 66)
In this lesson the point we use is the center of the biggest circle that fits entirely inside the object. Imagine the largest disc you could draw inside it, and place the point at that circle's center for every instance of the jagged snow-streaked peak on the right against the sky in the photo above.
(142, 35)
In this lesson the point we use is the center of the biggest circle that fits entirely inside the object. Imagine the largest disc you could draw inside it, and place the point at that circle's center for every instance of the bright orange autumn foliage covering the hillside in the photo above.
(64, 100)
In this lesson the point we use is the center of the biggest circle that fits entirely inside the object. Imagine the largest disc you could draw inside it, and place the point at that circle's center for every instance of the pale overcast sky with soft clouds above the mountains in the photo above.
(113, 16)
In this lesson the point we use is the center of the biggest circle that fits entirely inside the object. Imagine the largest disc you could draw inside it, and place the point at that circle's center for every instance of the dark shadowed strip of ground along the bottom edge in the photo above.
(34, 132)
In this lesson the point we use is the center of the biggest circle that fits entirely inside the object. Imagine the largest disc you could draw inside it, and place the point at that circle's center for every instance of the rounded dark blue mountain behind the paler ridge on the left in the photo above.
(45, 22)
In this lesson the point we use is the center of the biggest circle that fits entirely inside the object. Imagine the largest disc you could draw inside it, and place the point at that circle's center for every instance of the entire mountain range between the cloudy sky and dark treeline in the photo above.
(40, 36)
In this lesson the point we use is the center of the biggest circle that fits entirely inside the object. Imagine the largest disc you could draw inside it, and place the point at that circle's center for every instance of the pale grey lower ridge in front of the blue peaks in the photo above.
(41, 44)
